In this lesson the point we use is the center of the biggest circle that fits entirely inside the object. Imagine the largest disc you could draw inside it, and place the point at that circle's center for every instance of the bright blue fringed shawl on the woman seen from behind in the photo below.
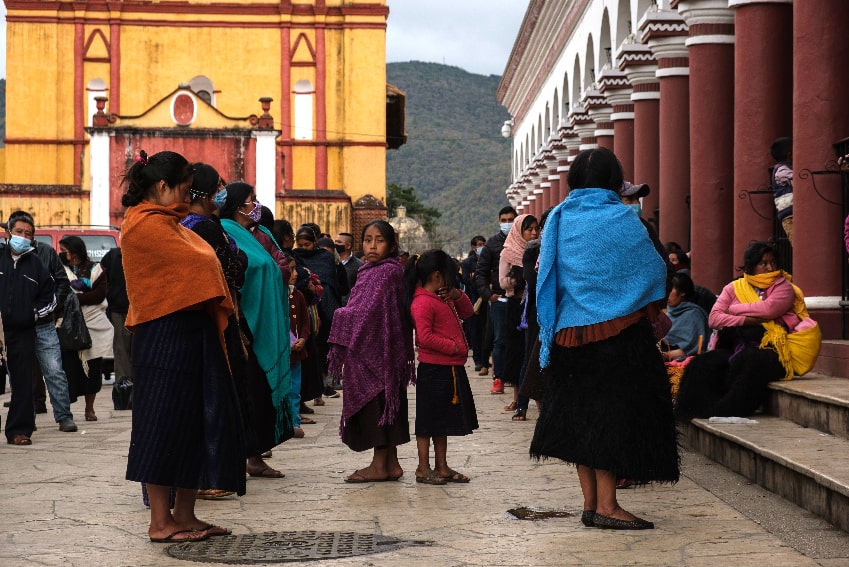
(596, 263)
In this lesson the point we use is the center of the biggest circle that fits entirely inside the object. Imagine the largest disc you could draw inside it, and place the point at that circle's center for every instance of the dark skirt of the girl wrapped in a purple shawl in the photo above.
(362, 431)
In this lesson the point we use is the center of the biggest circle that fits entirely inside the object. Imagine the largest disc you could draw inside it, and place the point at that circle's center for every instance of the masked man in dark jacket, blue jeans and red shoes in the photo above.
(486, 278)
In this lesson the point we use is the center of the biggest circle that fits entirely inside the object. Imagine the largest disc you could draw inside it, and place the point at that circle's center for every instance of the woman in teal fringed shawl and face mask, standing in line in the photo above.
(267, 318)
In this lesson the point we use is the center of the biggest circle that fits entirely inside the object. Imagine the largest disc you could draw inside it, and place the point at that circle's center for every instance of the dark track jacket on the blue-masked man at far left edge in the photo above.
(27, 291)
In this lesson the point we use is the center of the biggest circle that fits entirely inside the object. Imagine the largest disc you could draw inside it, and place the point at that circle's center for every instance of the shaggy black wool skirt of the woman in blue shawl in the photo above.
(608, 406)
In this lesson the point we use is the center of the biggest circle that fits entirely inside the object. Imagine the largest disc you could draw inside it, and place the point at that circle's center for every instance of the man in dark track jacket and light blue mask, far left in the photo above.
(27, 296)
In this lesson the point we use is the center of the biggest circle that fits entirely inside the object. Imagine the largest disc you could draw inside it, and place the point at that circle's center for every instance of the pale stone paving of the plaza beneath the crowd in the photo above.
(64, 501)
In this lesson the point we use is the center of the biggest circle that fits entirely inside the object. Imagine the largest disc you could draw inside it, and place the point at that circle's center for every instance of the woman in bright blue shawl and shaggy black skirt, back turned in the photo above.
(607, 406)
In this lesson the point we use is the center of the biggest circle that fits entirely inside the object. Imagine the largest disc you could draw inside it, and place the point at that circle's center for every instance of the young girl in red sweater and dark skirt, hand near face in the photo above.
(444, 402)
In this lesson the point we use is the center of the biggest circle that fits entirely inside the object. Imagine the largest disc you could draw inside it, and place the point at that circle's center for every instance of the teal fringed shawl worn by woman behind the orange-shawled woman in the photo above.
(267, 315)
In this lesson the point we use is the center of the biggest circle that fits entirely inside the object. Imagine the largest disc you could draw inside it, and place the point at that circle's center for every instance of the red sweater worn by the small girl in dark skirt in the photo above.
(439, 329)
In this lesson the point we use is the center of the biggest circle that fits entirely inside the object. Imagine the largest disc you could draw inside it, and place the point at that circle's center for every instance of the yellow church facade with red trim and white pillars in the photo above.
(290, 96)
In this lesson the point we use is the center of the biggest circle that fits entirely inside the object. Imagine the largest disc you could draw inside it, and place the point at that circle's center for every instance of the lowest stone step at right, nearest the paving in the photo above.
(806, 466)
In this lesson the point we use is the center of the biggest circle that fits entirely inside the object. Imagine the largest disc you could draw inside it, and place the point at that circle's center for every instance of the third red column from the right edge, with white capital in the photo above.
(712, 141)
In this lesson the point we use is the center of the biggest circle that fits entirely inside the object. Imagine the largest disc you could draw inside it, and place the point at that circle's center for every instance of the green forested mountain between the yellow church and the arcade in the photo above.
(455, 156)
